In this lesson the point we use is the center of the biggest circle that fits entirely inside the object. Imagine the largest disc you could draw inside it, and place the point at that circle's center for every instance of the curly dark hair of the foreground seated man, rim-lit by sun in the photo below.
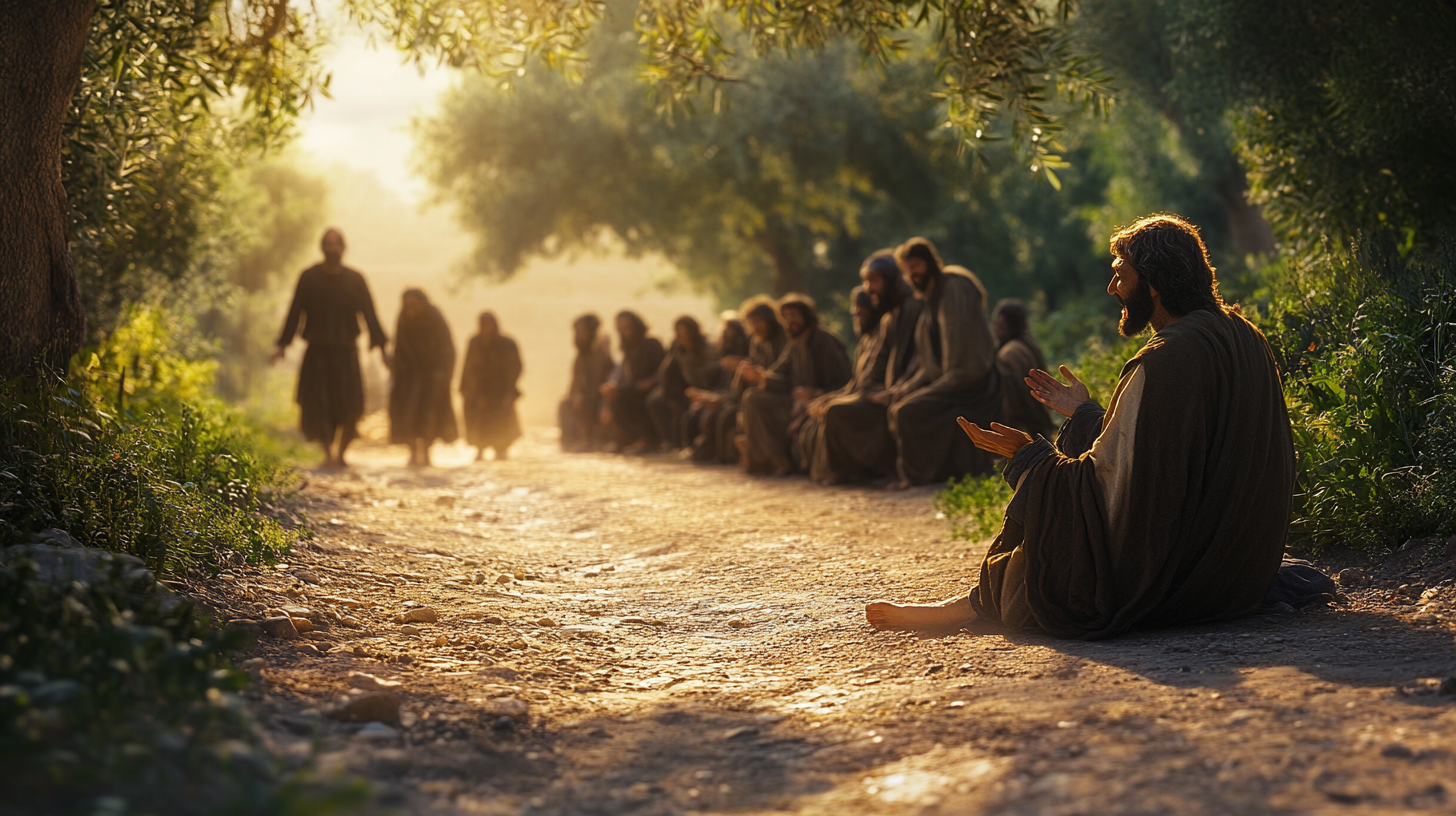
(1168, 253)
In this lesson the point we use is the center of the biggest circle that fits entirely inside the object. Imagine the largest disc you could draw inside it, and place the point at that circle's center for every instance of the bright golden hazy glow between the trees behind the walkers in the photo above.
(360, 139)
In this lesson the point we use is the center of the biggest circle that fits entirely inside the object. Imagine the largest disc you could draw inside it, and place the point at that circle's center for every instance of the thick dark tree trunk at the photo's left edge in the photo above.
(41, 52)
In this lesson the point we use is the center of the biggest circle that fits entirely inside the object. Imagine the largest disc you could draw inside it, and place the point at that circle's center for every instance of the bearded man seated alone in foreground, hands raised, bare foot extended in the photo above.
(1168, 508)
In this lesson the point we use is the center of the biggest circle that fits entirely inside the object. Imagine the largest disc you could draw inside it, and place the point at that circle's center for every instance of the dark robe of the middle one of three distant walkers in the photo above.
(420, 404)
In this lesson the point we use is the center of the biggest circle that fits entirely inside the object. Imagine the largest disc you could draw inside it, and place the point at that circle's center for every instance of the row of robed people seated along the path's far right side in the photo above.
(780, 394)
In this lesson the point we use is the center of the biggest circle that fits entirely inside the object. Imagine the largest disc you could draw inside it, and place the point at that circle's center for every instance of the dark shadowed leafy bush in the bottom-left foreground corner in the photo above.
(116, 697)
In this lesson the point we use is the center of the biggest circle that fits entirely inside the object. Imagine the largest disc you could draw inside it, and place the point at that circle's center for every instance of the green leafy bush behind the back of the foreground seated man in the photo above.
(1368, 352)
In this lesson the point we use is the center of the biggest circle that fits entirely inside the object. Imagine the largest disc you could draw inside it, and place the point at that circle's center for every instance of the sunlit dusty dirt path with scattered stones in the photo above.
(704, 651)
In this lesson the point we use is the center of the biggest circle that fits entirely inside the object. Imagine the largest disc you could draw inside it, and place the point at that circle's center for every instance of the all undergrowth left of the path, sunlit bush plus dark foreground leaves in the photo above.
(116, 696)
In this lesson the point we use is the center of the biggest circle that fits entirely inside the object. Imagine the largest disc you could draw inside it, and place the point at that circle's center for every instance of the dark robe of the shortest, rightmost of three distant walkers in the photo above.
(488, 391)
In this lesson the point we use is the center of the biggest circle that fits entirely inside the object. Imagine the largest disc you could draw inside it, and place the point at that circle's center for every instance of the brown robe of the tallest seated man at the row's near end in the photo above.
(956, 377)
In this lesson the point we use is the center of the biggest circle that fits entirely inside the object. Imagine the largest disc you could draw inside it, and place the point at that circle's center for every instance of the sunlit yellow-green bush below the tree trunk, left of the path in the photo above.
(175, 477)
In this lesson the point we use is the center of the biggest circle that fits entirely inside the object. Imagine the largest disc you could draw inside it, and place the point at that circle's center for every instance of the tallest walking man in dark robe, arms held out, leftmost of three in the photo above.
(330, 299)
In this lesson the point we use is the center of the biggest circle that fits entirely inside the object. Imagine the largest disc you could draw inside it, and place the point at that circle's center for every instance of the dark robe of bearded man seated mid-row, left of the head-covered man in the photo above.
(815, 361)
